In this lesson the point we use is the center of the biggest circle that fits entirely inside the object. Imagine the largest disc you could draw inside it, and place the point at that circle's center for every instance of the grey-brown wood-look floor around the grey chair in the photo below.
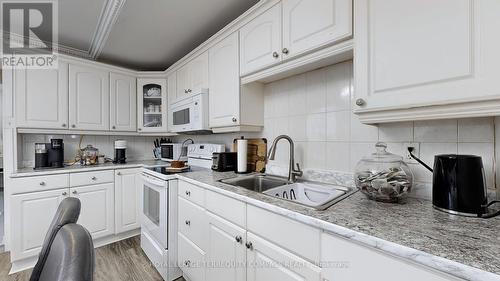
(119, 261)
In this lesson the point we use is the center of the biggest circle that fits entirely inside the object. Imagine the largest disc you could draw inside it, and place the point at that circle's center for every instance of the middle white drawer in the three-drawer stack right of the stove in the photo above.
(193, 222)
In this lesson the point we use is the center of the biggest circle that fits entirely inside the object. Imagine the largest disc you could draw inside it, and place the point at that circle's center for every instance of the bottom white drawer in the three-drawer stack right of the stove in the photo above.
(191, 259)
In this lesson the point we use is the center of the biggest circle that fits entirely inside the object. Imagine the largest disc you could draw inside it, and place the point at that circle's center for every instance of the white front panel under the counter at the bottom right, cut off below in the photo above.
(362, 263)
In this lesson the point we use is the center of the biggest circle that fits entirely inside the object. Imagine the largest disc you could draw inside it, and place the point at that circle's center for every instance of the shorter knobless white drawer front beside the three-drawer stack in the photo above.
(226, 207)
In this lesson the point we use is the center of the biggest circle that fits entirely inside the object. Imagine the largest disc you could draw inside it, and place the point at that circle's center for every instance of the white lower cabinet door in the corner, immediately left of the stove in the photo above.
(127, 200)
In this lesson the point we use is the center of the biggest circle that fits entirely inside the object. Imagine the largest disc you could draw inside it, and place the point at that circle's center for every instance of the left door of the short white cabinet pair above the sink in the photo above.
(260, 41)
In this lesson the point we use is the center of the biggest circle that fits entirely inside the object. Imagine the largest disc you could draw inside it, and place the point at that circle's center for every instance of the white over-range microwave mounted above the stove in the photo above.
(190, 114)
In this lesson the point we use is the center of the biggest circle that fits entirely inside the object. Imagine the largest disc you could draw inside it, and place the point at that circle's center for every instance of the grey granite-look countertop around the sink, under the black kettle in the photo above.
(468, 248)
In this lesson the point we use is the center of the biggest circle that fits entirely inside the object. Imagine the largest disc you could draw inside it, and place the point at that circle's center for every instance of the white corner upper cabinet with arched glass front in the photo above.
(152, 105)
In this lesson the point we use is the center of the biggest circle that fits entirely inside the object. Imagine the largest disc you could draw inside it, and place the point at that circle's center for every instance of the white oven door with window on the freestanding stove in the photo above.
(154, 217)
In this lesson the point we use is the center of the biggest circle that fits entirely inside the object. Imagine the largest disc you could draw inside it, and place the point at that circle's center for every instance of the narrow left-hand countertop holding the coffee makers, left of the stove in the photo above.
(28, 172)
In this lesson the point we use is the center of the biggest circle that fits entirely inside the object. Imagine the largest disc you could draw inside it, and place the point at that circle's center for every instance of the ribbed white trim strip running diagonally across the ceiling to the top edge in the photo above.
(107, 19)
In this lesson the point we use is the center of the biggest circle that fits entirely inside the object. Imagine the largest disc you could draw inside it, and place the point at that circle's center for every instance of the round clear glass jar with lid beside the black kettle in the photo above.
(383, 176)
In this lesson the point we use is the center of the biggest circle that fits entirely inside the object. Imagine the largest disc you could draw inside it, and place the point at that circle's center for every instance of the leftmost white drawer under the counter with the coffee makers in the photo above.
(30, 184)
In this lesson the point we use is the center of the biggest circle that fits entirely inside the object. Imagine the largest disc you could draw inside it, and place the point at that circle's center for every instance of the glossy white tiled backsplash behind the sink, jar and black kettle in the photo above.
(315, 110)
